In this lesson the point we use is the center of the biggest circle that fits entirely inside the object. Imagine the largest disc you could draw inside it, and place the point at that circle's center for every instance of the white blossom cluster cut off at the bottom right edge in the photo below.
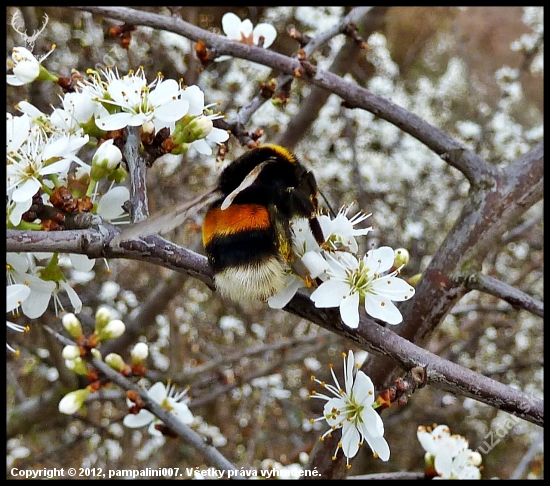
(448, 456)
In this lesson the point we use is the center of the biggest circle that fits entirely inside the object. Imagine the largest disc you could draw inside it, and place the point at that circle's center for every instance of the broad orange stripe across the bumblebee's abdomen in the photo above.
(235, 219)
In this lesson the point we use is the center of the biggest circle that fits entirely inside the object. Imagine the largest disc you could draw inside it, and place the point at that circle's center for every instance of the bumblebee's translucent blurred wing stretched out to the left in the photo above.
(166, 220)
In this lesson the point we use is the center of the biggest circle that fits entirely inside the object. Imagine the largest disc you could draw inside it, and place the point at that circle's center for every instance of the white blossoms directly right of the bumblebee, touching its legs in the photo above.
(347, 281)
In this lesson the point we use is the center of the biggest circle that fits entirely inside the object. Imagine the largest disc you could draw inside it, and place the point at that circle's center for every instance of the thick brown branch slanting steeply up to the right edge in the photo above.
(484, 219)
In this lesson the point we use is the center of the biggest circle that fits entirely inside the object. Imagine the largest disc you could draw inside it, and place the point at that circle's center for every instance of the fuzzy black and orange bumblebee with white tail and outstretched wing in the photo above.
(246, 232)
